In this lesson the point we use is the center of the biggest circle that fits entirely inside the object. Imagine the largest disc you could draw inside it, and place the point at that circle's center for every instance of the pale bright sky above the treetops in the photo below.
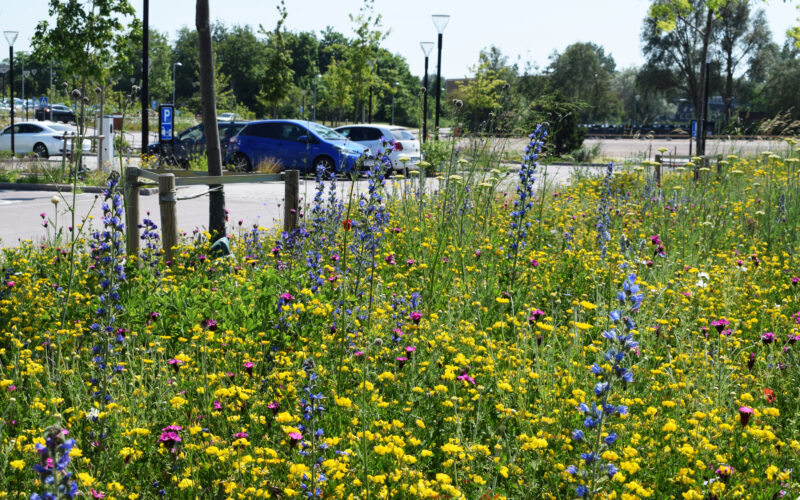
(527, 31)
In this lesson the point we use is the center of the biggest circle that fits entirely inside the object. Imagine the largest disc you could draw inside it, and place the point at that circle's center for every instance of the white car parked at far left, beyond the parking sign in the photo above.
(42, 138)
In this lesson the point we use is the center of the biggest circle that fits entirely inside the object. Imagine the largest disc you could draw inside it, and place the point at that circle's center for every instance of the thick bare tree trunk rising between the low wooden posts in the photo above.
(216, 199)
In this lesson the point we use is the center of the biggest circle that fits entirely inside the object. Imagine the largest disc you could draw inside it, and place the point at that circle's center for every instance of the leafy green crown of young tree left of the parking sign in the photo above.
(87, 37)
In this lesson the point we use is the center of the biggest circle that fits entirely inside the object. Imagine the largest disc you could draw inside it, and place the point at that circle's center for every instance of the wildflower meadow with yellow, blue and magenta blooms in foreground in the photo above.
(487, 335)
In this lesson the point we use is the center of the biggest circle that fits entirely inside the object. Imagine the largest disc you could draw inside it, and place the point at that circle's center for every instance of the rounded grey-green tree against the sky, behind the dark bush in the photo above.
(583, 72)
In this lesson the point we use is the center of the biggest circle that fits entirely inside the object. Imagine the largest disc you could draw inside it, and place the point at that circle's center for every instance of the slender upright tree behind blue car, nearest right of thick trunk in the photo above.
(276, 78)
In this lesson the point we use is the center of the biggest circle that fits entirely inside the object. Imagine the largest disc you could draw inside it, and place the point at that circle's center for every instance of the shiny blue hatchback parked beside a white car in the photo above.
(294, 144)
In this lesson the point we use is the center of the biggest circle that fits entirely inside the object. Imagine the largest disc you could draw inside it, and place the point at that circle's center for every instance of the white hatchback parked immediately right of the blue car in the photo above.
(370, 135)
